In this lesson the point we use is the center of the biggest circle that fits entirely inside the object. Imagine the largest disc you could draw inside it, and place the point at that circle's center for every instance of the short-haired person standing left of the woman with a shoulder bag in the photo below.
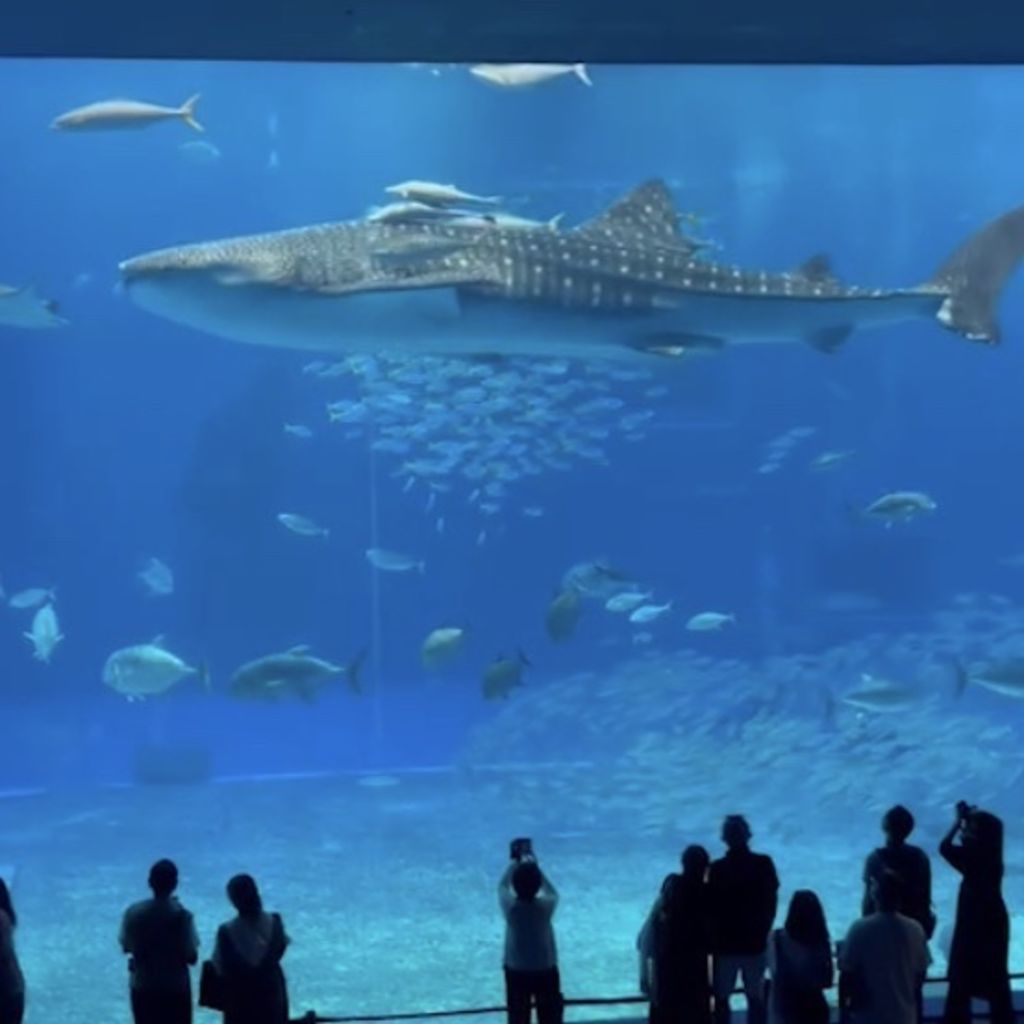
(159, 936)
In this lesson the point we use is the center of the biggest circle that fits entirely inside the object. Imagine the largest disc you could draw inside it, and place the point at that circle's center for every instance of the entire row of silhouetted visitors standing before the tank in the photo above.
(710, 926)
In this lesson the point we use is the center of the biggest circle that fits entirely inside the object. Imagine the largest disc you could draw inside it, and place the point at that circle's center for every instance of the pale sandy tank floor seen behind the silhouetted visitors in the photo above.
(387, 885)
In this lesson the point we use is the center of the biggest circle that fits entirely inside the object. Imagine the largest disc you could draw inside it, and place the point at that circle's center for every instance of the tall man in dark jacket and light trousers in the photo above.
(744, 890)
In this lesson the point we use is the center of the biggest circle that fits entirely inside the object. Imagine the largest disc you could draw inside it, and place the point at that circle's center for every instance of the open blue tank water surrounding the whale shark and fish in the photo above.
(126, 437)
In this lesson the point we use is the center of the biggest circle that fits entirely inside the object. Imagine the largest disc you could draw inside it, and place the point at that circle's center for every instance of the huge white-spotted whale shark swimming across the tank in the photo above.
(628, 282)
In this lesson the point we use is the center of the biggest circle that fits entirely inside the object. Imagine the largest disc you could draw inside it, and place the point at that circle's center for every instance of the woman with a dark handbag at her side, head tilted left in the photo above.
(247, 955)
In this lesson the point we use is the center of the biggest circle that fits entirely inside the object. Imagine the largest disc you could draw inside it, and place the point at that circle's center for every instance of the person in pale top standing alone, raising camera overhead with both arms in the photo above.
(528, 901)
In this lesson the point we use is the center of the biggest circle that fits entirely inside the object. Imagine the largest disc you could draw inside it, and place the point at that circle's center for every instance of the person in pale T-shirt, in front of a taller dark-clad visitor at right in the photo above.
(883, 961)
